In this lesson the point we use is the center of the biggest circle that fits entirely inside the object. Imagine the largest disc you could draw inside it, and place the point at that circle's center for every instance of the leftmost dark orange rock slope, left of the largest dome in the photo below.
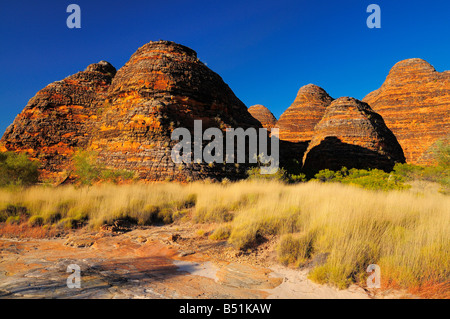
(60, 118)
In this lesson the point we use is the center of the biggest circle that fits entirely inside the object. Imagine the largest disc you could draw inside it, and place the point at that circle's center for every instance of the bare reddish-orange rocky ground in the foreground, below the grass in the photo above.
(174, 261)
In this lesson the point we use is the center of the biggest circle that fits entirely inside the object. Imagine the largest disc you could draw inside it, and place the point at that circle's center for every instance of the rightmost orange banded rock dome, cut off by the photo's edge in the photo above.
(415, 103)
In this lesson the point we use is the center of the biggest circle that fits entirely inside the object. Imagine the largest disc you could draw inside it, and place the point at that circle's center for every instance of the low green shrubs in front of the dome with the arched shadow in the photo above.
(374, 179)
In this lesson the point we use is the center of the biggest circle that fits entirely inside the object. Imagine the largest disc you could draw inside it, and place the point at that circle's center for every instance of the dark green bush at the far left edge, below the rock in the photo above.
(17, 170)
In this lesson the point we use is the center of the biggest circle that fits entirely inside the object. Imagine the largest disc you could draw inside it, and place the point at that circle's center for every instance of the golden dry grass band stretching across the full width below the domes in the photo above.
(404, 232)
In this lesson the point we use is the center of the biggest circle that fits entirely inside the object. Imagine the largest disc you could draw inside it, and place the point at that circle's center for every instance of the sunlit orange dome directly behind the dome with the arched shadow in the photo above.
(297, 123)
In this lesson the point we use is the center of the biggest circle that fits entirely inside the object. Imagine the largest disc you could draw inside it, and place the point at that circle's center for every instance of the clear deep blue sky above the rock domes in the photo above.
(264, 50)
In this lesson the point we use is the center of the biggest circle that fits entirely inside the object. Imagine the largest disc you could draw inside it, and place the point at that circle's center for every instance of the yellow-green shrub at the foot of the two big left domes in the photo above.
(90, 171)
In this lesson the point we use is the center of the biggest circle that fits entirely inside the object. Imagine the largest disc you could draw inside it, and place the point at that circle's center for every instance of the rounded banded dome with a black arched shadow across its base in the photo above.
(351, 134)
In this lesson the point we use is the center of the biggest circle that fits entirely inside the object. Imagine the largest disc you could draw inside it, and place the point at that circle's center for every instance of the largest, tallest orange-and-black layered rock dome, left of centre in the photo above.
(164, 86)
